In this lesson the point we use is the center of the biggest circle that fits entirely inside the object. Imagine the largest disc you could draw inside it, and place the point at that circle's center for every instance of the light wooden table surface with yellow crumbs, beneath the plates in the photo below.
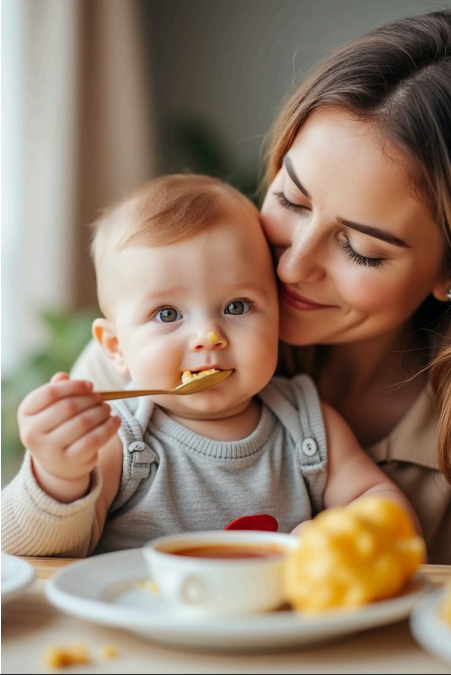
(30, 625)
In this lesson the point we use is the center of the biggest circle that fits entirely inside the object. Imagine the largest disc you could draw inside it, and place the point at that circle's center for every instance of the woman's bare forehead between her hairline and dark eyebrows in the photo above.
(347, 167)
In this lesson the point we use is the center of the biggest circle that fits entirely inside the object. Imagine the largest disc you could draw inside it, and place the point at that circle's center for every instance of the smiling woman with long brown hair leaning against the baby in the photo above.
(358, 210)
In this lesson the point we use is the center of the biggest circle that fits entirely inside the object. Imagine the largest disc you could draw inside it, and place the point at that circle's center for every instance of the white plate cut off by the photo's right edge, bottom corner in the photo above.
(429, 629)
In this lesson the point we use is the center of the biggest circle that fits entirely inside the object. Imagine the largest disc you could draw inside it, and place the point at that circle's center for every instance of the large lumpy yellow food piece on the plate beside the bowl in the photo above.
(350, 556)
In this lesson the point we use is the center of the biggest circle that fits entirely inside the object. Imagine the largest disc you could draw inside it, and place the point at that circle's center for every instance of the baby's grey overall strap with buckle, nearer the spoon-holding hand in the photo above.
(137, 455)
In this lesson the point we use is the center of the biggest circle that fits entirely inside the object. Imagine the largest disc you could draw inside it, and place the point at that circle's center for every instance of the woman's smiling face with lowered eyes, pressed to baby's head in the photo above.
(357, 252)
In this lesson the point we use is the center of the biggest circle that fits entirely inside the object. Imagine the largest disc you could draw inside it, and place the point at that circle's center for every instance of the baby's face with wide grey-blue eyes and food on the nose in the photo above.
(209, 302)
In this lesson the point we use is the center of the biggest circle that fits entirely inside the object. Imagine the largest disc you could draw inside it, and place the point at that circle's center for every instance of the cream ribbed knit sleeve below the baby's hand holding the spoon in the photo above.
(35, 524)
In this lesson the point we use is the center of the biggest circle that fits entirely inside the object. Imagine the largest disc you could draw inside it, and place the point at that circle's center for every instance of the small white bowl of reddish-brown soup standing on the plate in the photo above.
(200, 586)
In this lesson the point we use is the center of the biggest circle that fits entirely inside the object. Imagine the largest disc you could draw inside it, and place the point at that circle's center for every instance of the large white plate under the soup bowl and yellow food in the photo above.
(105, 589)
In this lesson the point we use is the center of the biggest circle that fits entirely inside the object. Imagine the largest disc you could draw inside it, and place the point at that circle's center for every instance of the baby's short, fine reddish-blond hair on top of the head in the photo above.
(166, 210)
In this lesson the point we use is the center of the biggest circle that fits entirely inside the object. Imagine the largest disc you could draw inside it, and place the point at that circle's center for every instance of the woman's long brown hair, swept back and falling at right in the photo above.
(398, 79)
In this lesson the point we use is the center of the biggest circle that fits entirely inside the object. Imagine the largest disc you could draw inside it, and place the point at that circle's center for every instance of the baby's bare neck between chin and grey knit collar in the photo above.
(234, 427)
